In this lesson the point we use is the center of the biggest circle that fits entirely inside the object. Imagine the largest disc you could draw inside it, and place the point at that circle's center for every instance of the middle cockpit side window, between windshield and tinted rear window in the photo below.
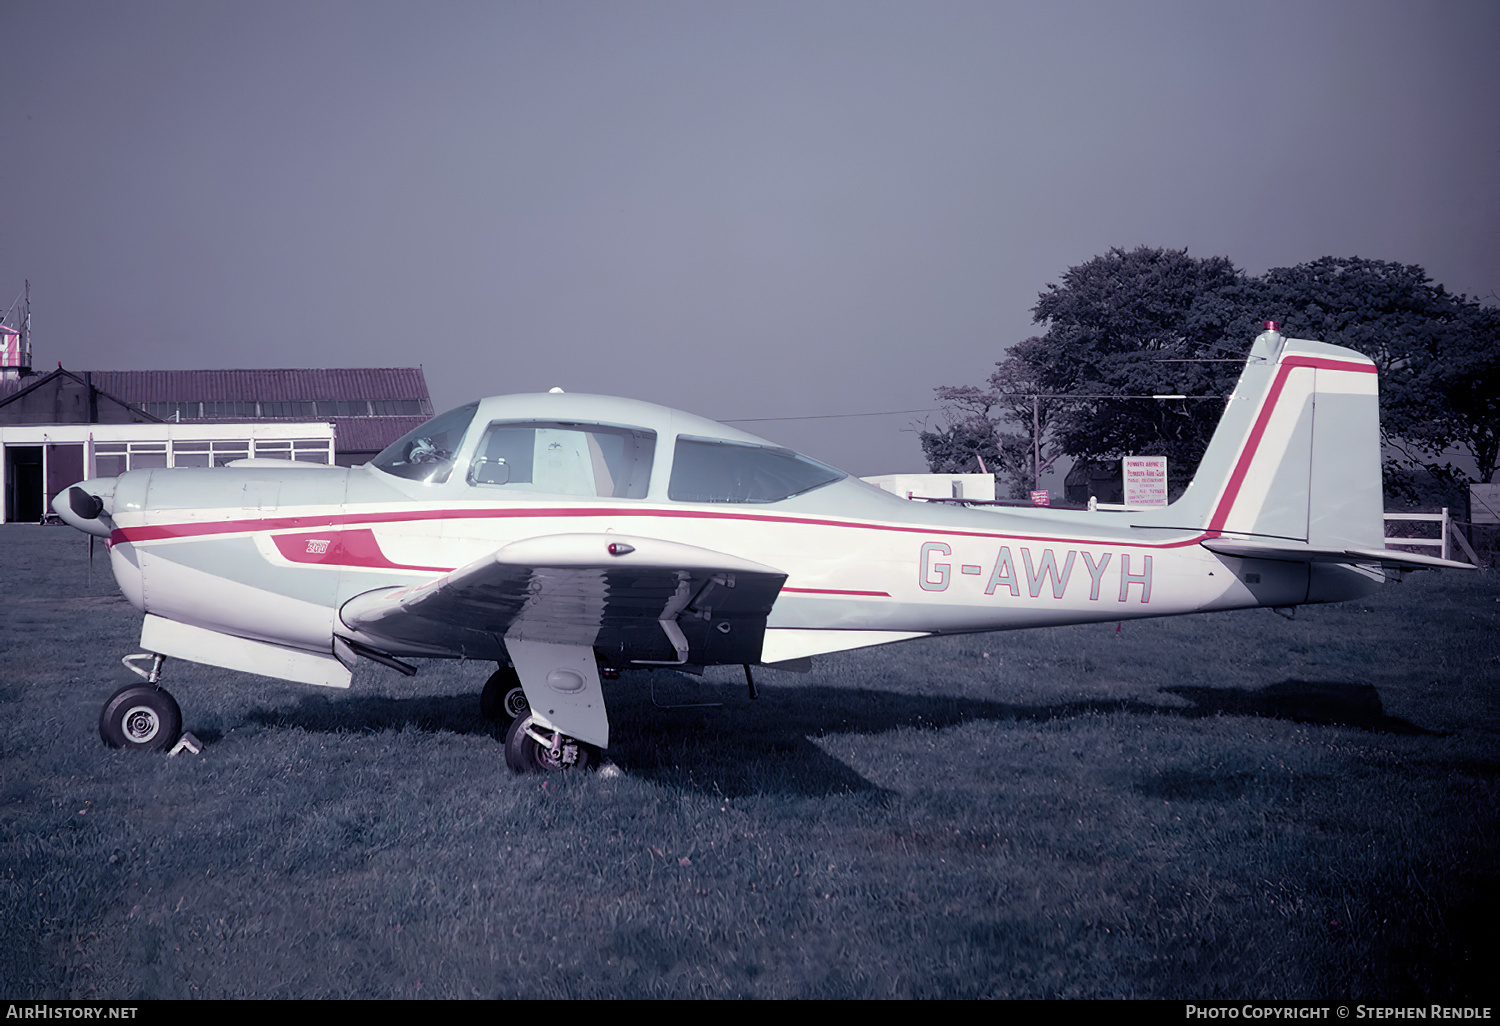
(563, 458)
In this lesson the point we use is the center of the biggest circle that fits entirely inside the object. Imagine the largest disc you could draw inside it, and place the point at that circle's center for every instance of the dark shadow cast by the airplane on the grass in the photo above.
(707, 736)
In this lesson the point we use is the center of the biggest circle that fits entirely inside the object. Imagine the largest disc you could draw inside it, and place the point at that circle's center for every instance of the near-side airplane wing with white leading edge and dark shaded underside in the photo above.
(643, 601)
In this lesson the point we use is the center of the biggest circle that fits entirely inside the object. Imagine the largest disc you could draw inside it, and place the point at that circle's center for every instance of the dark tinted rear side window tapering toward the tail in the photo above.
(710, 470)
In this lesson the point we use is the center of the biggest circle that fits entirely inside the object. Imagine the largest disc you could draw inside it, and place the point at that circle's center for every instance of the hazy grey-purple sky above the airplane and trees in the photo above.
(739, 209)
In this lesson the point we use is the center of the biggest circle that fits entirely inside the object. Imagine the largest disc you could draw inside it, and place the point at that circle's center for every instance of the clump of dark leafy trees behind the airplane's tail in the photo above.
(1129, 326)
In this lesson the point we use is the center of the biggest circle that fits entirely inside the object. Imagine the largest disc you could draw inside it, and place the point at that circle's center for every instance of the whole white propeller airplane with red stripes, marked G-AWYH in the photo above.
(571, 536)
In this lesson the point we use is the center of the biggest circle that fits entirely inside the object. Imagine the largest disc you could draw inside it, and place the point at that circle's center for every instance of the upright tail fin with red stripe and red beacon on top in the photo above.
(1297, 455)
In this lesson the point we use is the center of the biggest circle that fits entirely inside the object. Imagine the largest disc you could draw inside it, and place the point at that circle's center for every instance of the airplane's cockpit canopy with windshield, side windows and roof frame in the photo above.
(565, 457)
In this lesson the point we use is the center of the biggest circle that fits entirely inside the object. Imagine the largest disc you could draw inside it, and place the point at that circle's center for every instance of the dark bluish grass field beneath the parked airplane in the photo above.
(1229, 806)
